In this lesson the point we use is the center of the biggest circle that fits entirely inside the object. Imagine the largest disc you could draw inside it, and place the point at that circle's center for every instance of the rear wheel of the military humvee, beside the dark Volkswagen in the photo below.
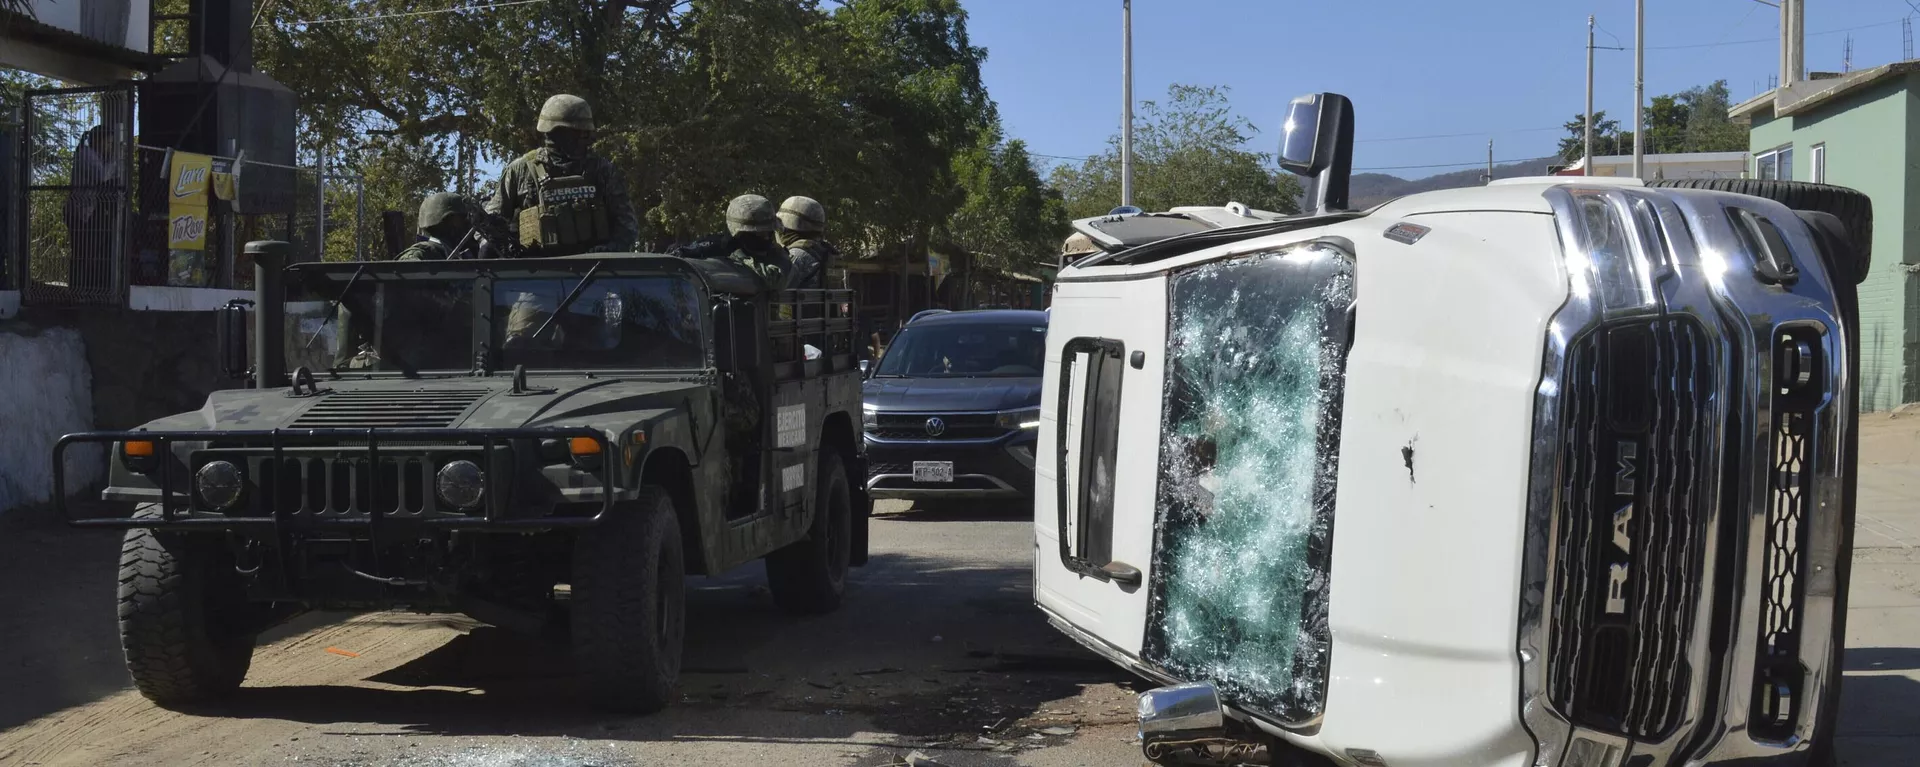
(811, 578)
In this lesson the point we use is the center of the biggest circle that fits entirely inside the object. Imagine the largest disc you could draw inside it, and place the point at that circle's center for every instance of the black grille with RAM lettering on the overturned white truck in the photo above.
(1631, 526)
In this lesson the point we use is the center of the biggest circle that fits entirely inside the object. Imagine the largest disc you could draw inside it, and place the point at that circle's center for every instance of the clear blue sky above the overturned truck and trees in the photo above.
(1416, 68)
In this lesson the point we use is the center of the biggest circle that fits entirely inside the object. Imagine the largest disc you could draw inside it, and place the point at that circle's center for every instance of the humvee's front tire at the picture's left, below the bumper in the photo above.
(183, 618)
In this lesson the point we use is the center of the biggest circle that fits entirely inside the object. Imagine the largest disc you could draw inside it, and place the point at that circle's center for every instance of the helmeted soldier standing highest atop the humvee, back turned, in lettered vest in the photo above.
(564, 199)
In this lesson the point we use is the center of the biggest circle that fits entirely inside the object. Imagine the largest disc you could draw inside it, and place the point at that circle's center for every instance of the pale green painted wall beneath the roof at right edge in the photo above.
(1867, 141)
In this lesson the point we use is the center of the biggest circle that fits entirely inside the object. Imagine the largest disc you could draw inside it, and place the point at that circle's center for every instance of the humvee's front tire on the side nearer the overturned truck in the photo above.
(631, 605)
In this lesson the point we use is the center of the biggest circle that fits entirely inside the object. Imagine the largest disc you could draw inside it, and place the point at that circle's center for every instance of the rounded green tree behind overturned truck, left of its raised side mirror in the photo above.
(1189, 151)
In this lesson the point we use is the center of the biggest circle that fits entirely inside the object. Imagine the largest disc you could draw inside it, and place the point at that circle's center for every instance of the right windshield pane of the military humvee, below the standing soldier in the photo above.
(612, 324)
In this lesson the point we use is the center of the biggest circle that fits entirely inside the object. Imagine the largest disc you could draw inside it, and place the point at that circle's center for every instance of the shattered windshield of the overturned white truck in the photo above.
(1247, 476)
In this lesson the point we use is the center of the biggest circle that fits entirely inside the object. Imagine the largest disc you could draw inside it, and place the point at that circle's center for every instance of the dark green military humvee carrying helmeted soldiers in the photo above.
(544, 445)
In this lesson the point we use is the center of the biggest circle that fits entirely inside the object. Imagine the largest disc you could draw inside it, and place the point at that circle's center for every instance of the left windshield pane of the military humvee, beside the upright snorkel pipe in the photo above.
(381, 326)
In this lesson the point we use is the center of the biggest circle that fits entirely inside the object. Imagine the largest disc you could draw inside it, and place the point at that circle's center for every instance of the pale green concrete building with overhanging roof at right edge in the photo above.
(1860, 130)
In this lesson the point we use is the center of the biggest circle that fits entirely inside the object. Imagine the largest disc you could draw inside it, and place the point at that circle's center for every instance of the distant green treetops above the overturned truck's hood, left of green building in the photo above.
(1692, 120)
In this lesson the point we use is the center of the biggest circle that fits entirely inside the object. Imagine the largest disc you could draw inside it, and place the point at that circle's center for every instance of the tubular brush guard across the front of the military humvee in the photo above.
(360, 455)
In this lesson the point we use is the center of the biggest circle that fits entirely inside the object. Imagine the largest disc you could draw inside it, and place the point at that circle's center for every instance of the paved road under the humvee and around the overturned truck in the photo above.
(938, 649)
